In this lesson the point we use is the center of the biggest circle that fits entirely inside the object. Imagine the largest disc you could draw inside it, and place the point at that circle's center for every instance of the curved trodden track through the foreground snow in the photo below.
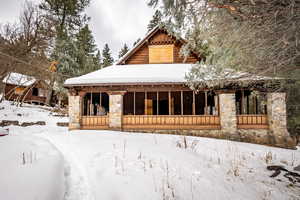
(76, 181)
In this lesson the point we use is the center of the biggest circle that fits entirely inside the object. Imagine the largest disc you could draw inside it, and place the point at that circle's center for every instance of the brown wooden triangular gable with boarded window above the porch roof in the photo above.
(160, 47)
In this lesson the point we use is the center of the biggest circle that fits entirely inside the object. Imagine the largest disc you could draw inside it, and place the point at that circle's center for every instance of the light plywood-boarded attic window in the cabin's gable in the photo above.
(161, 54)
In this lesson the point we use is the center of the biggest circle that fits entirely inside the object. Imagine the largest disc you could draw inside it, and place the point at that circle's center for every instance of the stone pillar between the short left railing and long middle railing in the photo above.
(115, 110)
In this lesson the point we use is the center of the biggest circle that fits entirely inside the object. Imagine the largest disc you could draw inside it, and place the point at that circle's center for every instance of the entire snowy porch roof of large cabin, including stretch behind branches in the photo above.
(155, 74)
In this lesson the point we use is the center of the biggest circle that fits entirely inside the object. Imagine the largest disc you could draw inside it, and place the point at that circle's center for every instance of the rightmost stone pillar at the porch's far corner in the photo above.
(276, 106)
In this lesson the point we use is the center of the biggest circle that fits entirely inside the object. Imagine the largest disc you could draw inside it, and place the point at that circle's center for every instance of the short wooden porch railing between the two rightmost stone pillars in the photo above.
(252, 121)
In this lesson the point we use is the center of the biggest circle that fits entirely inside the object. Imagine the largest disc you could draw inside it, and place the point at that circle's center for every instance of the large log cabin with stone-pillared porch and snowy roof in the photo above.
(146, 91)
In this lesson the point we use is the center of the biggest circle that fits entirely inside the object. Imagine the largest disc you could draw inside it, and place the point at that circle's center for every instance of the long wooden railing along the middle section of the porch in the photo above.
(171, 122)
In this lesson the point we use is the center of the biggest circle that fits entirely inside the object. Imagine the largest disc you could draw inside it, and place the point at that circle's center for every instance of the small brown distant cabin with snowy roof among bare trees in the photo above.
(25, 88)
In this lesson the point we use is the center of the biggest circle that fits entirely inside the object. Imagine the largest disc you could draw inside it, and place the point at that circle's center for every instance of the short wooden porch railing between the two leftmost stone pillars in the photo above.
(94, 122)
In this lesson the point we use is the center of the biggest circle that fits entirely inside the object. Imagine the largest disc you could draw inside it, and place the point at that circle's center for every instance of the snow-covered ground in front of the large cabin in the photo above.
(92, 165)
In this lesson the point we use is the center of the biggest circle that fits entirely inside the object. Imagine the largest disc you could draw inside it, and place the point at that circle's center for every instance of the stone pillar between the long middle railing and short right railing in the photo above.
(228, 119)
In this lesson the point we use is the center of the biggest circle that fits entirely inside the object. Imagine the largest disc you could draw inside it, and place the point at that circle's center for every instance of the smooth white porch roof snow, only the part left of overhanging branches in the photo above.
(138, 73)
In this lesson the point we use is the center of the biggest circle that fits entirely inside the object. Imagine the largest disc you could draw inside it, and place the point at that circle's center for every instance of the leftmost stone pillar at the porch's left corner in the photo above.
(74, 112)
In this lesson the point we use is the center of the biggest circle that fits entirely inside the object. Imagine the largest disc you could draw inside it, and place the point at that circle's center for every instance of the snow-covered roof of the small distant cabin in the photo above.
(19, 79)
